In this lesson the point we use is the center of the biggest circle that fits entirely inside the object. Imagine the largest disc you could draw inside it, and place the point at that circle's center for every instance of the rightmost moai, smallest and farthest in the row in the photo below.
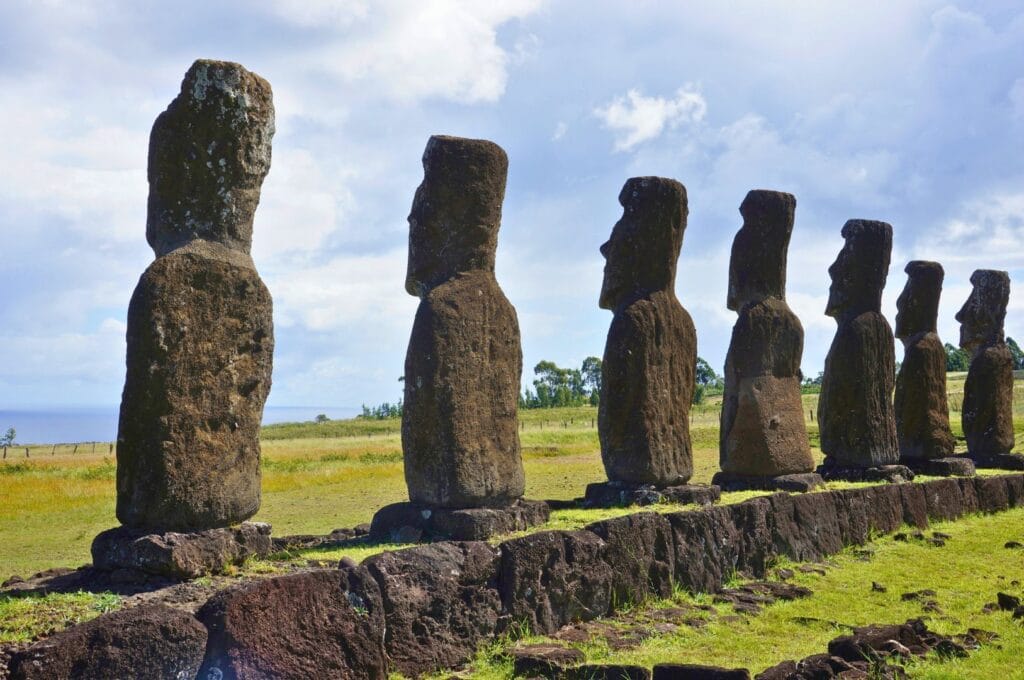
(989, 394)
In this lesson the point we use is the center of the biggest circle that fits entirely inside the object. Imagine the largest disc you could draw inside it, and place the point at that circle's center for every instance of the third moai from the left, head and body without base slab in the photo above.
(651, 353)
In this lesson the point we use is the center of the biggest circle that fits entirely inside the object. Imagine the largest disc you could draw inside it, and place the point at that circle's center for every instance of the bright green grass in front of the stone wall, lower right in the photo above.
(967, 574)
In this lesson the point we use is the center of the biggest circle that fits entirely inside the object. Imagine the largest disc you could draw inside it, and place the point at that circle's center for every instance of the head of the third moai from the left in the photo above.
(642, 254)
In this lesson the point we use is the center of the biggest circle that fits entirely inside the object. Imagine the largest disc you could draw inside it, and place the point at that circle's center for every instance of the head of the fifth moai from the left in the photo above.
(859, 275)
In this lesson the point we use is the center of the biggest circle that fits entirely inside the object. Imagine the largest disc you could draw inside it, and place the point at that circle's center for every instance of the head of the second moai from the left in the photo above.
(457, 211)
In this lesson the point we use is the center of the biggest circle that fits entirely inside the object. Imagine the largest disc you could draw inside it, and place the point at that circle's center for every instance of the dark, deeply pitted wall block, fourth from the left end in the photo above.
(551, 579)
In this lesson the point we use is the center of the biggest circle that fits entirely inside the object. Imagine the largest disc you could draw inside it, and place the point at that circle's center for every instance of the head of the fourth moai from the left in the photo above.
(757, 269)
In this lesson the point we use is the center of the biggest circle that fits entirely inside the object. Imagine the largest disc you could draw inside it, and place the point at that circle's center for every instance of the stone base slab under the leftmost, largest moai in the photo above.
(181, 556)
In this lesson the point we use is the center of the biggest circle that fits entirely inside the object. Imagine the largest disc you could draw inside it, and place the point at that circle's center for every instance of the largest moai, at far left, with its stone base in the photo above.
(200, 327)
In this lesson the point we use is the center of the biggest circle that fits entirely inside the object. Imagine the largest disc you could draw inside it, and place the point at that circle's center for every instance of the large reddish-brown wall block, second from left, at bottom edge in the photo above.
(311, 625)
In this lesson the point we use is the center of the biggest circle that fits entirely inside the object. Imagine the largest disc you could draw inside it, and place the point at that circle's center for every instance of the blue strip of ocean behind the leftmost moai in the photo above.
(79, 424)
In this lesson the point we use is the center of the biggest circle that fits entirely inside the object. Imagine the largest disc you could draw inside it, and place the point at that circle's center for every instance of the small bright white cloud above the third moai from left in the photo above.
(635, 118)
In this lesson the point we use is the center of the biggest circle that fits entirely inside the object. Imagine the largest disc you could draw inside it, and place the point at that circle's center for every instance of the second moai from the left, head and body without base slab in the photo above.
(460, 430)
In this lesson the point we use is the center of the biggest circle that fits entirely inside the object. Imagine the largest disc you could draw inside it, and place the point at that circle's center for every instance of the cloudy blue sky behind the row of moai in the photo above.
(903, 111)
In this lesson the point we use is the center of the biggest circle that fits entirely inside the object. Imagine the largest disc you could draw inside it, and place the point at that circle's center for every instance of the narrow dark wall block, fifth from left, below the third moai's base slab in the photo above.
(642, 552)
